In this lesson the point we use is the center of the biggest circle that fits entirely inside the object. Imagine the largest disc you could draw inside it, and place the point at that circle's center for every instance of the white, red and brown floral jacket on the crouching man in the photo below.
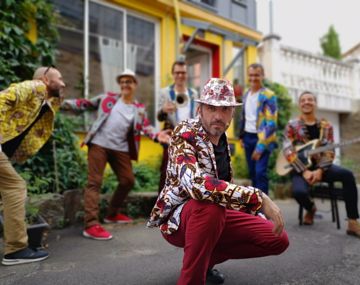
(192, 174)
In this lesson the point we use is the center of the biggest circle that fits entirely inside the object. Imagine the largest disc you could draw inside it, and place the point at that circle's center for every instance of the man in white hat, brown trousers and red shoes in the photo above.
(114, 138)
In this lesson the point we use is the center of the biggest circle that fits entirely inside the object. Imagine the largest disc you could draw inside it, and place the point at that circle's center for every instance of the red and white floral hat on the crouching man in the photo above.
(218, 92)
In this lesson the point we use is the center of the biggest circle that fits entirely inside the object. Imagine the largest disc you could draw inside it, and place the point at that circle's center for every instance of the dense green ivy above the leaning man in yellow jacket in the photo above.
(19, 56)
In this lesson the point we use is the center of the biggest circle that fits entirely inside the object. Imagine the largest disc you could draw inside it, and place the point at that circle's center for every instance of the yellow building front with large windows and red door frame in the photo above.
(98, 39)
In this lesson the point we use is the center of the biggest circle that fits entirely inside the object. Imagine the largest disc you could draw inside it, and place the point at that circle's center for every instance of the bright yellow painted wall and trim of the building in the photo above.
(164, 12)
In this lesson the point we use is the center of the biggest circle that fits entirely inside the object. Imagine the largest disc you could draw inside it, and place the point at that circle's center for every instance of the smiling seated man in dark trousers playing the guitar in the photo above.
(300, 131)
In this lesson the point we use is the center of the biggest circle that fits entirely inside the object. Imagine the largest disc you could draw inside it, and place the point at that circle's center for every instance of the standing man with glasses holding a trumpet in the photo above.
(176, 103)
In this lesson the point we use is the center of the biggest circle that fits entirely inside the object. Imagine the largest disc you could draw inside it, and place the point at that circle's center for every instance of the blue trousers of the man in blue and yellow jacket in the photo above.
(257, 168)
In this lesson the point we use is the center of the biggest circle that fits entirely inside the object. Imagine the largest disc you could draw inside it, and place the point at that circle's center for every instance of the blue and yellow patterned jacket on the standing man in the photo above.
(266, 124)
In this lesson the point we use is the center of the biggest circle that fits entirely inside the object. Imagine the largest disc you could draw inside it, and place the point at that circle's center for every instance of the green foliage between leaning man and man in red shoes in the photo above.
(60, 153)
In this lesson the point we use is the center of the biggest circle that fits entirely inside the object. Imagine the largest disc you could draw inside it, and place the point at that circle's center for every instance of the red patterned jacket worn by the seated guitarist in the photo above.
(296, 134)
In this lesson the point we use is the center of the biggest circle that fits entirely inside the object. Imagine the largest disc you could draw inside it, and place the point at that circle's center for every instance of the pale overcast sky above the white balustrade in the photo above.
(301, 23)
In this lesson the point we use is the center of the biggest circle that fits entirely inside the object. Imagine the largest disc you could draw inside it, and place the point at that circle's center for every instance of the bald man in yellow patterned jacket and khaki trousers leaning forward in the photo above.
(27, 112)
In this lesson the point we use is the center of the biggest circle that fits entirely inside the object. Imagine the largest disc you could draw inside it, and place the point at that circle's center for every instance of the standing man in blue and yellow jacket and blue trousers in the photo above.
(258, 127)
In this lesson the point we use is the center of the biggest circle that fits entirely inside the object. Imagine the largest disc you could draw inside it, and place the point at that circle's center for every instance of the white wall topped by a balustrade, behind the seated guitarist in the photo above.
(335, 83)
